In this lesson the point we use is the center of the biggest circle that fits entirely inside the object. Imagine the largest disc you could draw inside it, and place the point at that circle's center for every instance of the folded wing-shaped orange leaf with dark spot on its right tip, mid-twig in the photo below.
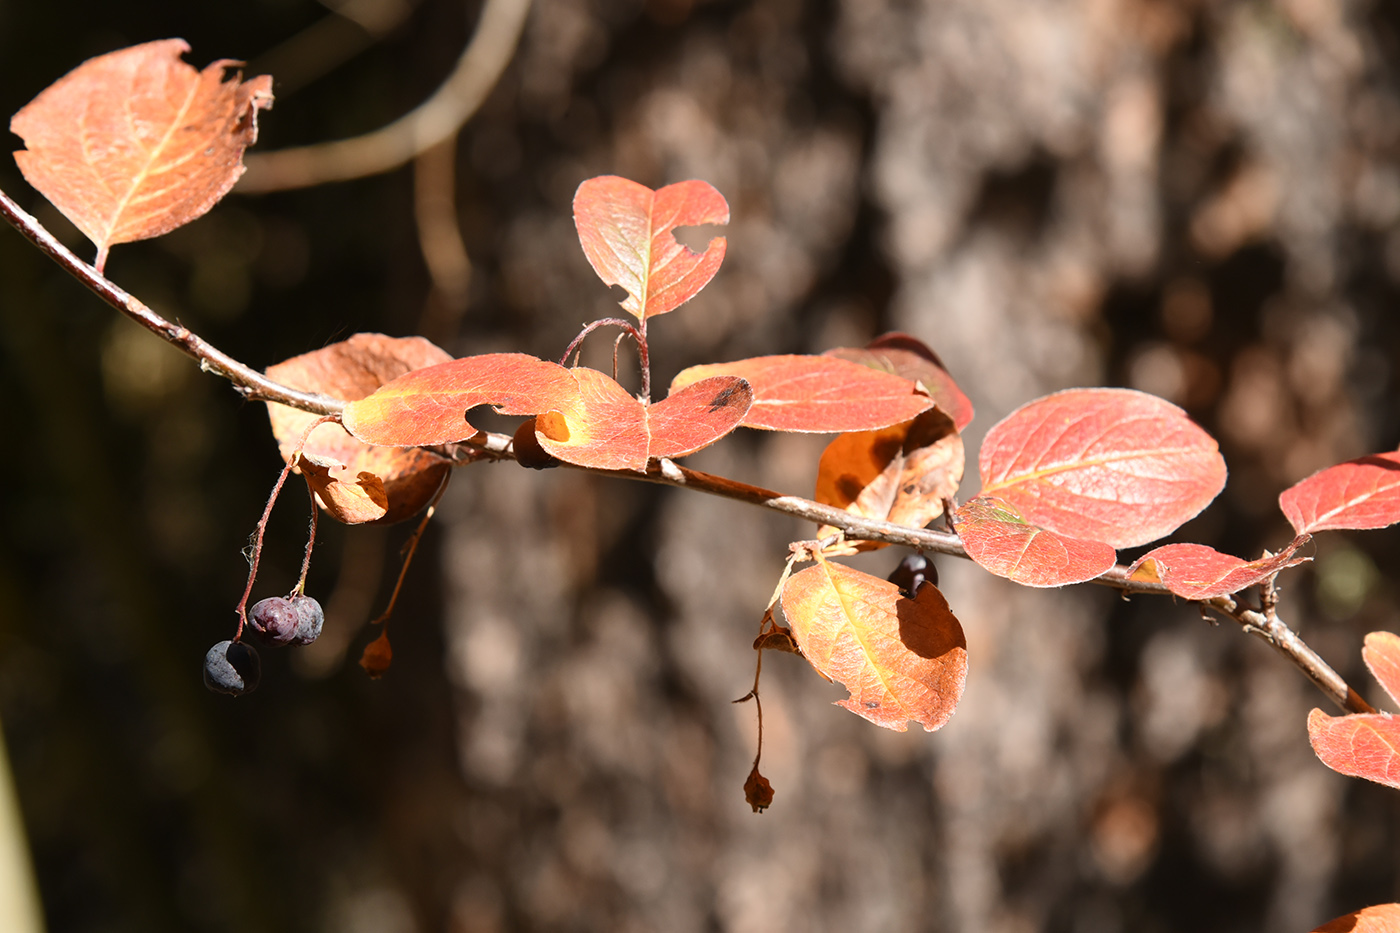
(605, 428)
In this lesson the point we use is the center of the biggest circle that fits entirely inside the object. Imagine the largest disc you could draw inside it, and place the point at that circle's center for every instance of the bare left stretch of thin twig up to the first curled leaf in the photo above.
(247, 380)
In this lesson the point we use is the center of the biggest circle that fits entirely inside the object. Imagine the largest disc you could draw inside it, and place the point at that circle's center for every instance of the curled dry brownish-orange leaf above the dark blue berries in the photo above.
(352, 371)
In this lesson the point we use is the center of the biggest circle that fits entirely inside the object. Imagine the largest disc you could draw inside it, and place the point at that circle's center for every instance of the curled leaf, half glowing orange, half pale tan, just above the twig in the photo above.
(898, 474)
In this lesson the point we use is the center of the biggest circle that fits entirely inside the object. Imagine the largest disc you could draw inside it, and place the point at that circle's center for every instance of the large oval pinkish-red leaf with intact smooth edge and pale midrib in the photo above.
(1111, 466)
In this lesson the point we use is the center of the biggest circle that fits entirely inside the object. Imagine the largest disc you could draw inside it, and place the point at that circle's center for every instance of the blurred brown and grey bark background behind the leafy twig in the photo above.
(1195, 200)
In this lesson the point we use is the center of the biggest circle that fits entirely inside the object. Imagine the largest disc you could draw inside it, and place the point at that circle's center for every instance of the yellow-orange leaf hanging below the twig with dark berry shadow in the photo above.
(901, 659)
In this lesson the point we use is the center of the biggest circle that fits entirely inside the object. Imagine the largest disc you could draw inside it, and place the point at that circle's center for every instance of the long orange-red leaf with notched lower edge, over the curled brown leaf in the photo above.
(429, 407)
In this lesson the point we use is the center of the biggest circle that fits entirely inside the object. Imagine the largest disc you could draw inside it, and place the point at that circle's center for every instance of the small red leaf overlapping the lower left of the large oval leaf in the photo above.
(1002, 541)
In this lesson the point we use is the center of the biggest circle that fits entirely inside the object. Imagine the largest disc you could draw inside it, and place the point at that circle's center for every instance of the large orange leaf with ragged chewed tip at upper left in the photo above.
(136, 144)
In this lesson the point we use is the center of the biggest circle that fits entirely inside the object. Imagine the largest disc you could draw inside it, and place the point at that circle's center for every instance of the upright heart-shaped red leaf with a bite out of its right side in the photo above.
(628, 233)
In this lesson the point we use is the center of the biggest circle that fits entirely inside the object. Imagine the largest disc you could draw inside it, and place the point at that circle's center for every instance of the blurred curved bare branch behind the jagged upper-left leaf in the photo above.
(435, 121)
